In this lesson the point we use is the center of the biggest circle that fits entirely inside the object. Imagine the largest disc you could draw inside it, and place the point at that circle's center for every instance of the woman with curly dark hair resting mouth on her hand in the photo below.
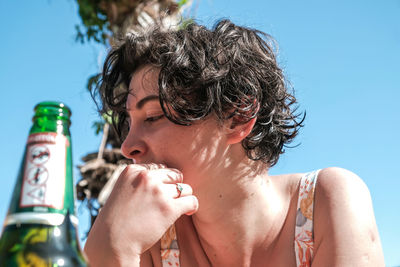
(204, 114)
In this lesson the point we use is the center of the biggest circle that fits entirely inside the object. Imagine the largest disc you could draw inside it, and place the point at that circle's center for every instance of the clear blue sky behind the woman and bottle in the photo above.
(342, 57)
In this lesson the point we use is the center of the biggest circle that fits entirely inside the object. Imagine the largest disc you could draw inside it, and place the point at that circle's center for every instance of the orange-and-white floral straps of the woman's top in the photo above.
(304, 233)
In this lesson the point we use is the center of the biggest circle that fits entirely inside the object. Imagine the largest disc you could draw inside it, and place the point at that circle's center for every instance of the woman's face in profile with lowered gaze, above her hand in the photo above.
(194, 150)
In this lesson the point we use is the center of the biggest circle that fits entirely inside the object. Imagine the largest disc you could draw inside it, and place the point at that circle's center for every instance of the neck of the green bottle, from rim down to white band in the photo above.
(44, 192)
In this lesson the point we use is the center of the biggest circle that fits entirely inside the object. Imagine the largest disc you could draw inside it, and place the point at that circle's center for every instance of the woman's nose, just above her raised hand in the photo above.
(133, 146)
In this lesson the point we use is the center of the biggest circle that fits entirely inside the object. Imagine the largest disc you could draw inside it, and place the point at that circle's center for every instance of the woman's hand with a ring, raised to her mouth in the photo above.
(143, 204)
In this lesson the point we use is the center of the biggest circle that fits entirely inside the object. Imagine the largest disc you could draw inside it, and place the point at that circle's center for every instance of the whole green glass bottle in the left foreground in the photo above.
(41, 226)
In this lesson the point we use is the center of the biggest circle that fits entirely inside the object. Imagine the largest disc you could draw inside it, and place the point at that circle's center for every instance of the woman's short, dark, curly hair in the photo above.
(229, 71)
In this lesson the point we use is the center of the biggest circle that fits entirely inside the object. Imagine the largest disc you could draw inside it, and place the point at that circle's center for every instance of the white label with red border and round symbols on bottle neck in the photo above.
(44, 173)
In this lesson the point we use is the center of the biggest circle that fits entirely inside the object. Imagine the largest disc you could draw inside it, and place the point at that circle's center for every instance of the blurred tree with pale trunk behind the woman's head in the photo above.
(102, 21)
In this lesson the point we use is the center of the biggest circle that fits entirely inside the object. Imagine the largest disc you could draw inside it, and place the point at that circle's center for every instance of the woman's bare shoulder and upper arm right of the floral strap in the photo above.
(344, 223)
